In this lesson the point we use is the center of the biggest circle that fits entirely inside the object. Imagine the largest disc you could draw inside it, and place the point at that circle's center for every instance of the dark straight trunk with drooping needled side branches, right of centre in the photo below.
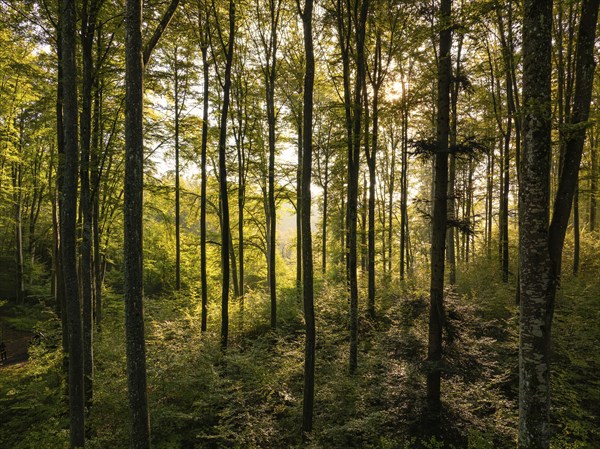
(440, 208)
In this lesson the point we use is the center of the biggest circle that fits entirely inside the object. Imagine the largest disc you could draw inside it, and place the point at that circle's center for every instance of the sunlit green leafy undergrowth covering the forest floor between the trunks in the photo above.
(251, 395)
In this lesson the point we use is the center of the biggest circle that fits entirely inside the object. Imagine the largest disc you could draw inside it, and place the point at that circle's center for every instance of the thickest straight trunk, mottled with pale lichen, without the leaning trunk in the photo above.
(536, 277)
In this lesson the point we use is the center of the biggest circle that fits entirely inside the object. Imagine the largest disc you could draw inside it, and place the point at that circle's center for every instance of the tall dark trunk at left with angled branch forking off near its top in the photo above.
(137, 57)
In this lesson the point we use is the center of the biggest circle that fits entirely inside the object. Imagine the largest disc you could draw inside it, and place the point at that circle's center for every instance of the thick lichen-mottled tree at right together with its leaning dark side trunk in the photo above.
(541, 242)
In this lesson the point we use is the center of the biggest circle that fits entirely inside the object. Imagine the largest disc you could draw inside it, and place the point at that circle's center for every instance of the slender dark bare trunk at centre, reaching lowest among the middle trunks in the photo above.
(307, 263)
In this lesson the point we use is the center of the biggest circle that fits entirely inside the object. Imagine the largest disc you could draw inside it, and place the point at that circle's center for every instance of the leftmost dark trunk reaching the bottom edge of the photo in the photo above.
(68, 224)
